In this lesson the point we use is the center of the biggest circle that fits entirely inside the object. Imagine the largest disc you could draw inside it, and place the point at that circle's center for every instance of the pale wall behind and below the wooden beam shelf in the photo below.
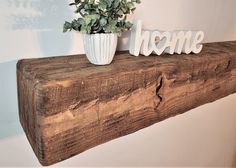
(205, 136)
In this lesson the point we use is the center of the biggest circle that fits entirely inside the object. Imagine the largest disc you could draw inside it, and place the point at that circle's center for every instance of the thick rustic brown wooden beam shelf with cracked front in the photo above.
(67, 105)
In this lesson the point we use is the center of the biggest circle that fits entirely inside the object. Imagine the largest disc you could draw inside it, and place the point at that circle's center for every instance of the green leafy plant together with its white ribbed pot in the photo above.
(100, 22)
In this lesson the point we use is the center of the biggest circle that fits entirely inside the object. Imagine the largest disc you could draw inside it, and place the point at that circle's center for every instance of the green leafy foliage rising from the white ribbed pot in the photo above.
(101, 16)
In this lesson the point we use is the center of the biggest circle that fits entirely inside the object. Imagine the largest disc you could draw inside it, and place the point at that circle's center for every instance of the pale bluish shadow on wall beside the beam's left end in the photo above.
(9, 121)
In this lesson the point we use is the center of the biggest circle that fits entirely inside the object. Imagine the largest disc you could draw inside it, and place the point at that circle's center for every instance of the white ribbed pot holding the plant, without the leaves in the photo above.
(100, 48)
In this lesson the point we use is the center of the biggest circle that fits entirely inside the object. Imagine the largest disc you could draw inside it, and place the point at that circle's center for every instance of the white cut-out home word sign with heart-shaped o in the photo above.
(146, 42)
